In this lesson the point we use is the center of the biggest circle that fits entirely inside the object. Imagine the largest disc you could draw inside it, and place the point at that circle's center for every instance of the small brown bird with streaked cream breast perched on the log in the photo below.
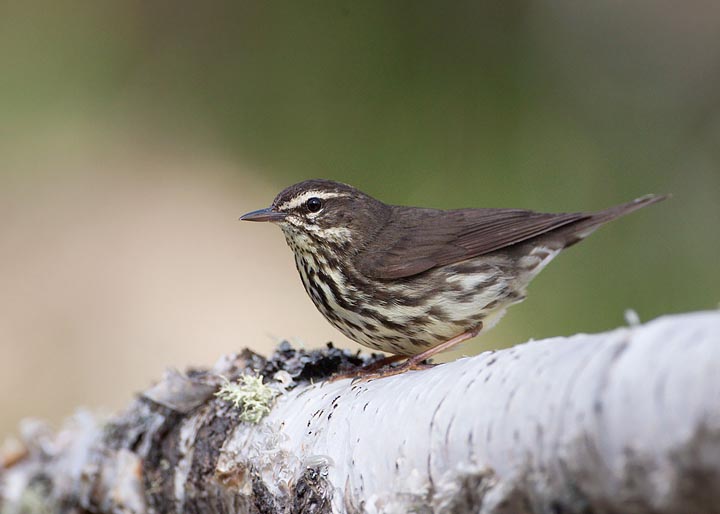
(413, 282)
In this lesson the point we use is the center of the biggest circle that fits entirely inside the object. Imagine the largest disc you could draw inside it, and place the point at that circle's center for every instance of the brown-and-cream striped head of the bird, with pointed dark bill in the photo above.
(324, 212)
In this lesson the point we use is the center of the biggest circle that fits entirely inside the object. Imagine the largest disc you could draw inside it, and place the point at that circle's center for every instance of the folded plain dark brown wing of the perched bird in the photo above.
(416, 240)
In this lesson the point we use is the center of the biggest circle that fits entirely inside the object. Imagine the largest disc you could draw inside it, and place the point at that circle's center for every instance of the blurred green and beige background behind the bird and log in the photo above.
(133, 134)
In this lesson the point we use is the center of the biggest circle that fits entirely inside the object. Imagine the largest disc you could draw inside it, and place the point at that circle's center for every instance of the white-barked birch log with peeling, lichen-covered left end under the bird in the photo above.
(626, 421)
